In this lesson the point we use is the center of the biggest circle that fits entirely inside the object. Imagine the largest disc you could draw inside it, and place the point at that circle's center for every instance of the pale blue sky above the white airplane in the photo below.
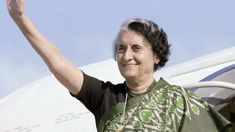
(84, 32)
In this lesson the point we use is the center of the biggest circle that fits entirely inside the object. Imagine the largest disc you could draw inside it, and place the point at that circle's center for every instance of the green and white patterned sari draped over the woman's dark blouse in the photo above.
(164, 108)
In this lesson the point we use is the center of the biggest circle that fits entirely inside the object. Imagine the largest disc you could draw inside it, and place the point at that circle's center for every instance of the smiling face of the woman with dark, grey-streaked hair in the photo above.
(134, 56)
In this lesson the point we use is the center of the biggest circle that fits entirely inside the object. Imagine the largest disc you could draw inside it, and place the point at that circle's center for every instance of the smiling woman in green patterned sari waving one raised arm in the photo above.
(140, 103)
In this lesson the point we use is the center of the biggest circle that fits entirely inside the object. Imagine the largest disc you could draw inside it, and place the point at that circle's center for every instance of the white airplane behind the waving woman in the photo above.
(46, 106)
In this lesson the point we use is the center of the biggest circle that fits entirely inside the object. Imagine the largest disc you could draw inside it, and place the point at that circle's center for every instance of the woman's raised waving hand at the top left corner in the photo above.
(15, 8)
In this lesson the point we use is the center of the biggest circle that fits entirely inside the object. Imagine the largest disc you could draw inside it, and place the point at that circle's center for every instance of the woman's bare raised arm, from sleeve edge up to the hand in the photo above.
(67, 73)
